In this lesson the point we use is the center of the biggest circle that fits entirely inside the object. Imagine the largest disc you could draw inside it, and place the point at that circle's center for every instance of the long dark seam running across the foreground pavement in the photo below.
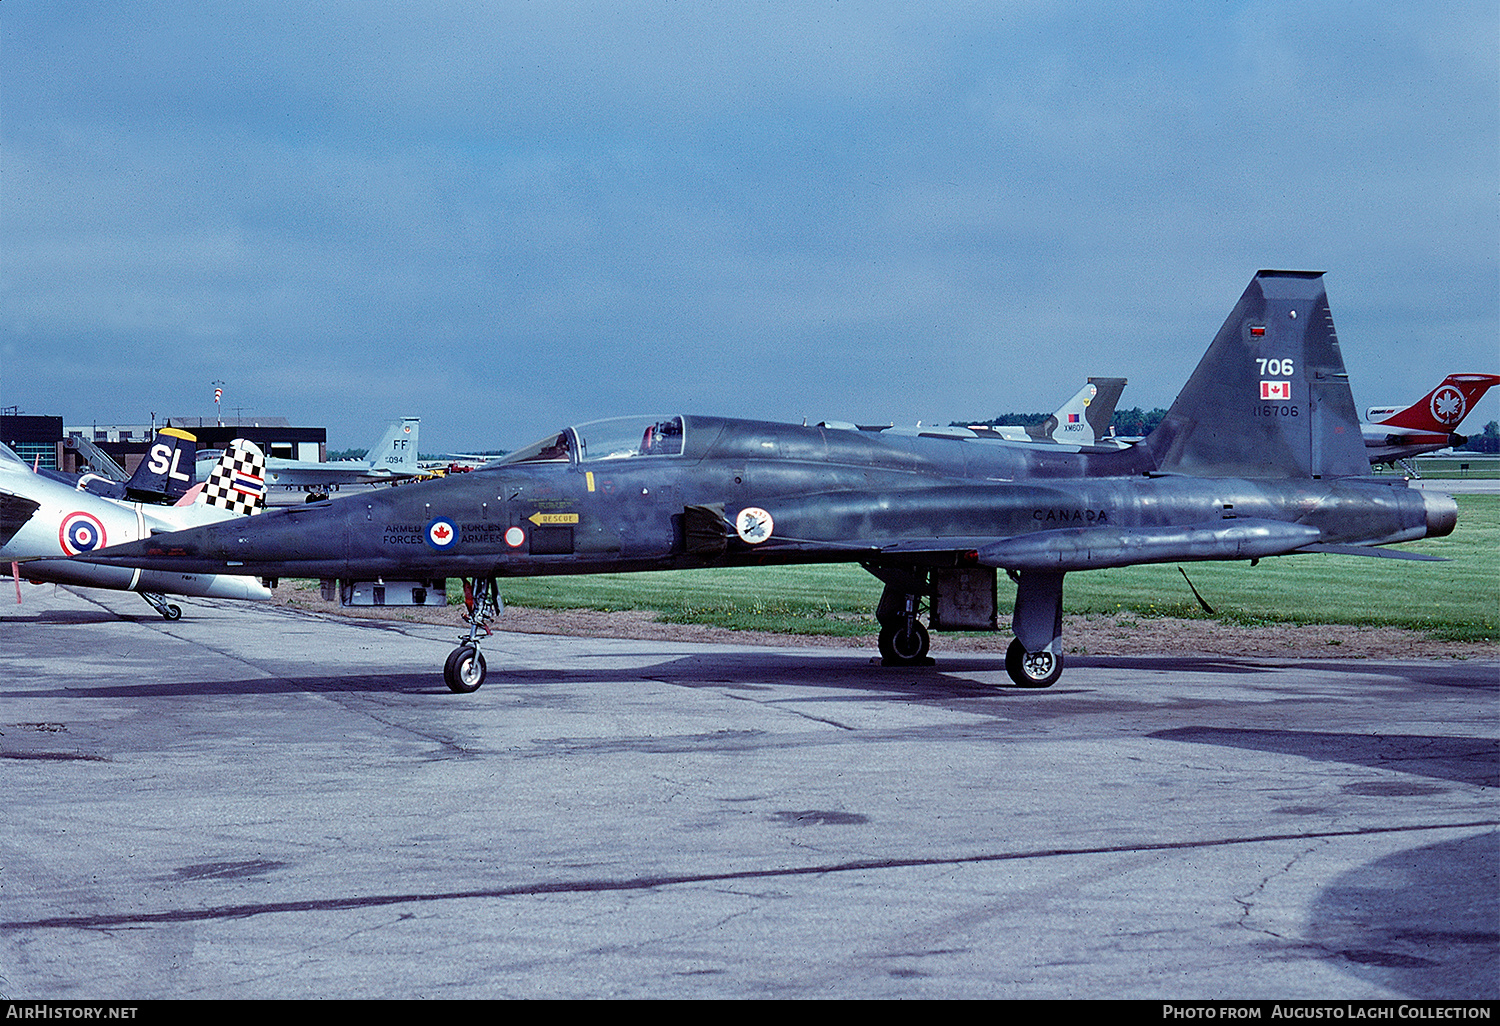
(650, 883)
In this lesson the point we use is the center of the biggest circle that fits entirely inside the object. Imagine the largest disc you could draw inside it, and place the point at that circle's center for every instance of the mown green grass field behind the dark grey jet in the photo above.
(1457, 601)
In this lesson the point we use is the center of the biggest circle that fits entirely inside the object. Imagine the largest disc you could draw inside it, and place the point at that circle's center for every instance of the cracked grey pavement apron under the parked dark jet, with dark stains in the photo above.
(259, 803)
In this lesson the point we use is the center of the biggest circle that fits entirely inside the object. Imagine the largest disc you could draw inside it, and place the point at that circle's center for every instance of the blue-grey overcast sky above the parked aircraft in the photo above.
(509, 217)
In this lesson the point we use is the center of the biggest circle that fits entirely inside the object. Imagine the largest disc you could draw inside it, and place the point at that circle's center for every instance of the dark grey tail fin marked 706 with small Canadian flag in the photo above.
(1271, 398)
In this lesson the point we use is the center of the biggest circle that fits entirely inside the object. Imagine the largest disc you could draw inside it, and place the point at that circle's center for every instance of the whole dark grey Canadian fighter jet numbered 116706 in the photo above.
(1261, 455)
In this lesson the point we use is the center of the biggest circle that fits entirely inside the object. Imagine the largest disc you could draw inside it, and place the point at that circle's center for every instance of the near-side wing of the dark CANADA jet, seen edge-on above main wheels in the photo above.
(1099, 548)
